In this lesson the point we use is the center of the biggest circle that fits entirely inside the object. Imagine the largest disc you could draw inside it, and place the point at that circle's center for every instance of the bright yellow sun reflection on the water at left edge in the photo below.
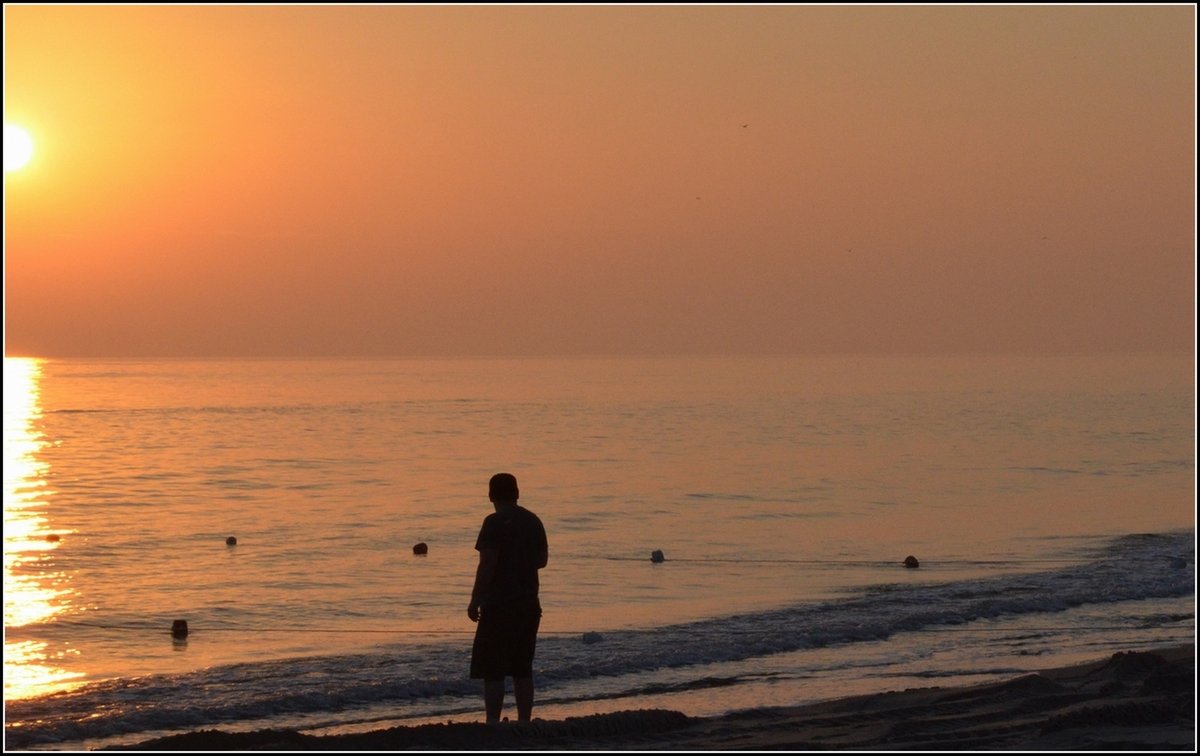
(33, 591)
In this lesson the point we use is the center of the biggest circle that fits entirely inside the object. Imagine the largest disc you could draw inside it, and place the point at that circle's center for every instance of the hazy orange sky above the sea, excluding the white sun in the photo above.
(389, 181)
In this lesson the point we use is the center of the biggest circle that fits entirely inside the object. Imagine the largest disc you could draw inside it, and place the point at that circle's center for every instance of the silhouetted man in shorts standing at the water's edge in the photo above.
(505, 602)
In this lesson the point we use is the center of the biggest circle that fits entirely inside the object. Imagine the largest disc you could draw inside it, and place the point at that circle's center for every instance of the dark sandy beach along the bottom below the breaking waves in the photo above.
(1130, 701)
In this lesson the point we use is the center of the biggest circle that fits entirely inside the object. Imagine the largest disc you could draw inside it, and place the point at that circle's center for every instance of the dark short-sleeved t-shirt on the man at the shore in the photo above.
(521, 539)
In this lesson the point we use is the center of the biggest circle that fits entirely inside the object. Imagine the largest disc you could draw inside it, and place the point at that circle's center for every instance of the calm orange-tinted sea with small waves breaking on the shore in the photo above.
(274, 507)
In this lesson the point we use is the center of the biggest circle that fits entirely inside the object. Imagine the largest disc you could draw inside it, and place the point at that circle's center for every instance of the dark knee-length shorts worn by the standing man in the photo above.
(505, 640)
